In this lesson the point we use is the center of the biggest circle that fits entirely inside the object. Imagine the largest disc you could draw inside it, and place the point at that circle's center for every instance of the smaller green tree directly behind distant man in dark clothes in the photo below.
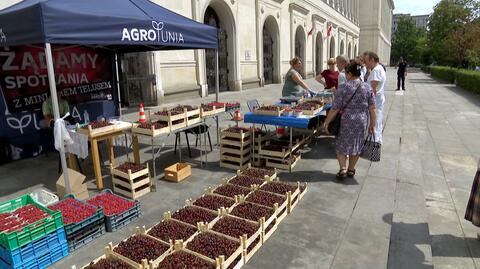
(404, 40)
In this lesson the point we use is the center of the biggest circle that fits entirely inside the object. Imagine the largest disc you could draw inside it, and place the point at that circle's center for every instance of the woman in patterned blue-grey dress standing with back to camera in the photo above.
(356, 103)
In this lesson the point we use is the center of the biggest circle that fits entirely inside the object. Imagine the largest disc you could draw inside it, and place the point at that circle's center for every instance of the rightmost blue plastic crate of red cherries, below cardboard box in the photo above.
(118, 211)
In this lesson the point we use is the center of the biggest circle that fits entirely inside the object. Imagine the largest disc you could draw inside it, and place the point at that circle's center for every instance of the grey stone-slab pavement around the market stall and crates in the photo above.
(403, 212)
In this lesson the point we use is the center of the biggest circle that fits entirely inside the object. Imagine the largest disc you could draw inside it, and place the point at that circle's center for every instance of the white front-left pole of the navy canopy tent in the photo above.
(56, 112)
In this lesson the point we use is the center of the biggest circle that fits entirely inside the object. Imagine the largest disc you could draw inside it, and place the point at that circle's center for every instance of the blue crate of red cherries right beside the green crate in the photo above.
(77, 214)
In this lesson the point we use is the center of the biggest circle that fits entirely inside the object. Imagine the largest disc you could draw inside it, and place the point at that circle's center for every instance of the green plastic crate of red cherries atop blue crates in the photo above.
(23, 220)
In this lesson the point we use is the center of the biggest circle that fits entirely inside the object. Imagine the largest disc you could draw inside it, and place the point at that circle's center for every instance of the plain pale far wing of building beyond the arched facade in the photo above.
(376, 27)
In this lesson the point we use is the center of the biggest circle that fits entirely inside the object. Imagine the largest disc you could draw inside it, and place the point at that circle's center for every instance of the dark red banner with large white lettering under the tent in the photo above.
(82, 74)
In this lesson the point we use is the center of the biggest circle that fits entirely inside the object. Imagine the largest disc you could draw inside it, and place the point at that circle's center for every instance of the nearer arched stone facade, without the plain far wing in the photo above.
(257, 38)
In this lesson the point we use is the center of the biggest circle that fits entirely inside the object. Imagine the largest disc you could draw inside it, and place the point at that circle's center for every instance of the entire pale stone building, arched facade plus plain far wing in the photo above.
(257, 38)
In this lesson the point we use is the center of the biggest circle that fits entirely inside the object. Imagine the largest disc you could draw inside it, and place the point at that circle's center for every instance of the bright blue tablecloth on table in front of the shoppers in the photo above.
(288, 121)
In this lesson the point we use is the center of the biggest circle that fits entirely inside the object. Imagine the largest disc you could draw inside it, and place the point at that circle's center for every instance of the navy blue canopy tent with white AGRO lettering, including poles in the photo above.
(119, 25)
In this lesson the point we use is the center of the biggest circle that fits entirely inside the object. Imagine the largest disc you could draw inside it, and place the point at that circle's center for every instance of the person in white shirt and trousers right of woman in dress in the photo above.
(377, 79)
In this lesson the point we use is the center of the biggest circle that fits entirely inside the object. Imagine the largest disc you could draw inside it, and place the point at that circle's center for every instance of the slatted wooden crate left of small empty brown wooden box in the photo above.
(132, 185)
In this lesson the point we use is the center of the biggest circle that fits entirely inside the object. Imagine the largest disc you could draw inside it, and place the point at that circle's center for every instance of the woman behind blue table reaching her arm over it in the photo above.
(294, 84)
